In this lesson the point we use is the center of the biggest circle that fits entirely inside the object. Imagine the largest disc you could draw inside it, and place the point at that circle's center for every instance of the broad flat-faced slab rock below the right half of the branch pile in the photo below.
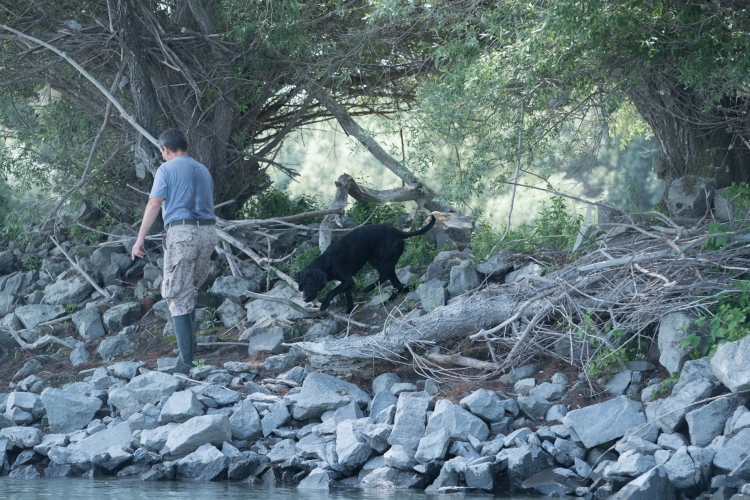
(600, 423)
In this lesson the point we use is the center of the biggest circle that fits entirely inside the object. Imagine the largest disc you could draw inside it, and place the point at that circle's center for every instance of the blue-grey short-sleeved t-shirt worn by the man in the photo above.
(187, 189)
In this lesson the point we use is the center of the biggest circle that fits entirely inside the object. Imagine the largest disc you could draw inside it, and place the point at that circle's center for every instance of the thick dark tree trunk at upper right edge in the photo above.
(692, 140)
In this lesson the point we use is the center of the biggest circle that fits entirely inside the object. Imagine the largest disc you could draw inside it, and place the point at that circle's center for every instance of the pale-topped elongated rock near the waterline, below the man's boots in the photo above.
(191, 435)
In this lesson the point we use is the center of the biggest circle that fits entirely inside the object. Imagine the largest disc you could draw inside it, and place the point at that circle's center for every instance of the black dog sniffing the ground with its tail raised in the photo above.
(379, 244)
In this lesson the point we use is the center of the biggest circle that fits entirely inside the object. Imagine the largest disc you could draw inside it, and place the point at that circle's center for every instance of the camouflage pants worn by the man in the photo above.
(187, 260)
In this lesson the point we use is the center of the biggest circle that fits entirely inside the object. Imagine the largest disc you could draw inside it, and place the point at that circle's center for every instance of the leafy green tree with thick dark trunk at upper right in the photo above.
(538, 84)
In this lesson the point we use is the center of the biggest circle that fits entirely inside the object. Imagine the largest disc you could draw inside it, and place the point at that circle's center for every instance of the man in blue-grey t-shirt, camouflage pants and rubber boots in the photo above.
(183, 189)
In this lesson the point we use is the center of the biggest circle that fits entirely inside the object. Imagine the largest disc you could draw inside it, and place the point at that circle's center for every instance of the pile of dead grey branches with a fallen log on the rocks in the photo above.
(642, 268)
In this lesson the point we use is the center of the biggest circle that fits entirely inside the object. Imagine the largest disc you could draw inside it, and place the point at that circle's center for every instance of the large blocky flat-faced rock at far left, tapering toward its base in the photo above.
(67, 411)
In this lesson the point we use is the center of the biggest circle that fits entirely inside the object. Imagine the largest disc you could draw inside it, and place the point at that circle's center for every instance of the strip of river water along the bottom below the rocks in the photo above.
(115, 489)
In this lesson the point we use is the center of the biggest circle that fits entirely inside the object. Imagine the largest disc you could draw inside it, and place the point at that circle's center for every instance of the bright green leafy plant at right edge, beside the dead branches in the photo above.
(729, 322)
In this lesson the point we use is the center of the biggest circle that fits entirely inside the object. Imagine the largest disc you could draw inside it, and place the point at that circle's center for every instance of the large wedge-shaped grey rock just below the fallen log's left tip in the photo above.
(321, 393)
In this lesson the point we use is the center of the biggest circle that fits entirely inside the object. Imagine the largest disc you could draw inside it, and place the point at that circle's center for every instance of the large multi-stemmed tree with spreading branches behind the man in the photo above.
(235, 75)
